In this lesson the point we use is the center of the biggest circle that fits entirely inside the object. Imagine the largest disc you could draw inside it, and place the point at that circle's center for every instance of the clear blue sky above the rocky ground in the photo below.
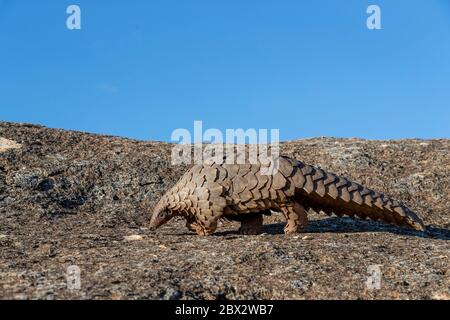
(141, 69)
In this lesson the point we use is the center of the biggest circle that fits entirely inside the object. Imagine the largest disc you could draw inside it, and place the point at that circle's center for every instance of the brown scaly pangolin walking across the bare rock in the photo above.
(207, 193)
